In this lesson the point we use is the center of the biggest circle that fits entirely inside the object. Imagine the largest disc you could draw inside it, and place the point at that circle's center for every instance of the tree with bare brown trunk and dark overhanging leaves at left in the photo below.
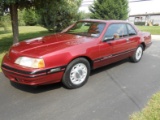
(13, 6)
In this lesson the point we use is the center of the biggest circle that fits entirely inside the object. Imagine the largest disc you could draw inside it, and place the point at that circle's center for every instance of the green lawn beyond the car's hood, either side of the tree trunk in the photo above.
(26, 32)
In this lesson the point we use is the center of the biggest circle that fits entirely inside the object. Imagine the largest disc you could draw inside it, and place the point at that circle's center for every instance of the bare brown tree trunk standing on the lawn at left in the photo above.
(14, 20)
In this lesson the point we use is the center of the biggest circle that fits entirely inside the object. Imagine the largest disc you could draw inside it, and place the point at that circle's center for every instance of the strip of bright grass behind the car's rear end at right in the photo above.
(154, 30)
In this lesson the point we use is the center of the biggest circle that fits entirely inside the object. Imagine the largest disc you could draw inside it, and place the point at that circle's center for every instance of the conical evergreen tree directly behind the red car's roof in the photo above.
(109, 9)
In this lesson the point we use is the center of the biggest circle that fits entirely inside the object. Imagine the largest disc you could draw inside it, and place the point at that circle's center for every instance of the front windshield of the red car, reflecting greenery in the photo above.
(90, 29)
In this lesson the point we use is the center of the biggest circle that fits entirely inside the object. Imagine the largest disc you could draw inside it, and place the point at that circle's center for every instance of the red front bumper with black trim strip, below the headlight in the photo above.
(40, 77)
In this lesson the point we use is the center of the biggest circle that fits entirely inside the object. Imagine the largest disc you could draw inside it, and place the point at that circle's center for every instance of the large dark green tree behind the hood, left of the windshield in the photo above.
(56, 15)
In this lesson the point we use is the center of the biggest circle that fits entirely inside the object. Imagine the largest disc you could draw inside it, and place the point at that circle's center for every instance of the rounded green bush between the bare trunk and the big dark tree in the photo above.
(30, 17)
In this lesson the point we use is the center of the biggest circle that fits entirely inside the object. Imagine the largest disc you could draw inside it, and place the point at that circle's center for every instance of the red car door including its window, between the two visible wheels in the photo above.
(117, 41)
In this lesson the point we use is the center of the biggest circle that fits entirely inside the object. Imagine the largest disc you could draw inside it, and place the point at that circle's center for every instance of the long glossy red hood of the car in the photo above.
(43, 45)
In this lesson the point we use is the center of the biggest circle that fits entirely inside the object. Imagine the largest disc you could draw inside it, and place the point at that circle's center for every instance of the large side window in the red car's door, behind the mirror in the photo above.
(116, 31)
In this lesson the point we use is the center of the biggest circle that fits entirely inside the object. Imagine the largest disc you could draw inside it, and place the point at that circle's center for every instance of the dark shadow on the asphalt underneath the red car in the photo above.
(44, 88)
